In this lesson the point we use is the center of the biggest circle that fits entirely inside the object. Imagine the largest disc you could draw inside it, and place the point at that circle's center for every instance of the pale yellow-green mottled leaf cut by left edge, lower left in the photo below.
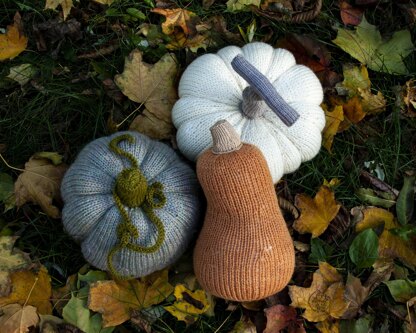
(10, 260)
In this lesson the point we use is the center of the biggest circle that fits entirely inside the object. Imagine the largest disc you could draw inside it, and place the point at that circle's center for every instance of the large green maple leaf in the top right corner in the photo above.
(367, 46)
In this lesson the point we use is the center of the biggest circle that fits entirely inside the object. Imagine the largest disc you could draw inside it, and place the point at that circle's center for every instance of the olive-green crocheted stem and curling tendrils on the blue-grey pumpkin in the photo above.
(132, 190)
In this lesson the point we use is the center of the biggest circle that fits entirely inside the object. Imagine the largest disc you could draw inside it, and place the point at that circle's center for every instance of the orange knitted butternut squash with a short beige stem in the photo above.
(244, 251)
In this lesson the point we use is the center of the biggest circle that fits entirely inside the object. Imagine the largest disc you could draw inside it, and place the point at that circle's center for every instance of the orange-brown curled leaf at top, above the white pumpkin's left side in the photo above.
(178, 17)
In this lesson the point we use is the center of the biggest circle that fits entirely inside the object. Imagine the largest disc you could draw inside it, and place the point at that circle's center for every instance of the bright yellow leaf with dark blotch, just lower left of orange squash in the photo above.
(189, 304)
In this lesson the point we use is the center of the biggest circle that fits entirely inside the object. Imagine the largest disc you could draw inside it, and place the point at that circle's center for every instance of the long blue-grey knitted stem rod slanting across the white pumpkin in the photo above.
(265, 89)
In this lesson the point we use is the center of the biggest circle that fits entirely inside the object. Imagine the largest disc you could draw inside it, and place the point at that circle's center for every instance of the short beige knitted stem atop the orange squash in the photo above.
(225, 138)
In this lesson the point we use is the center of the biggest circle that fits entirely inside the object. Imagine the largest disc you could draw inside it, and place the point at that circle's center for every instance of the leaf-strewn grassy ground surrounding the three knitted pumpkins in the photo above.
(73, 71)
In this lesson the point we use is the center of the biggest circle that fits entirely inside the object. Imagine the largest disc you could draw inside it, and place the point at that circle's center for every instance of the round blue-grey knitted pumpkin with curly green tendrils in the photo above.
(131, 203)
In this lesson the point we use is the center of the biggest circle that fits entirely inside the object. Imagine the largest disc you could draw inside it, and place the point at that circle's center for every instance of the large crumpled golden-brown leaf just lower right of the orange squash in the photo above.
(324, 299)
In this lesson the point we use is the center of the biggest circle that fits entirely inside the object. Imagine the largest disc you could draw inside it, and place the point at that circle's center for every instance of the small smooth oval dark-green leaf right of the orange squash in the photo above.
(364, 249)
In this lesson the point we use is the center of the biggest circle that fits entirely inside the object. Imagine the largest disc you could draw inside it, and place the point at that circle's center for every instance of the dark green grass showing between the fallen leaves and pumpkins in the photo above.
(67, 106)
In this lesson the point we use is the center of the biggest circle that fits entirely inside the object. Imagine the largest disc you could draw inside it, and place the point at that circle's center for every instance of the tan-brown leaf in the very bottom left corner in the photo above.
(17, 319)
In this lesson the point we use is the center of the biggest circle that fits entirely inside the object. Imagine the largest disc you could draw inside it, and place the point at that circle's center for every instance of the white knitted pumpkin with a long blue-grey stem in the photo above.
(280, 112)
